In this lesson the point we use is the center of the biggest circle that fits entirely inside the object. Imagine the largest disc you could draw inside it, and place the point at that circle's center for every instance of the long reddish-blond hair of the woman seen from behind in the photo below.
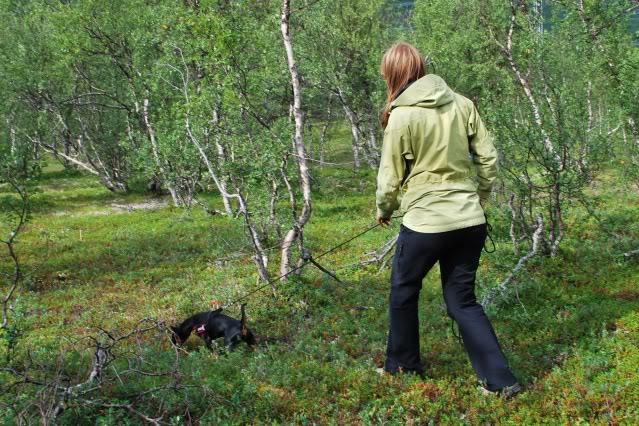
(402, 64)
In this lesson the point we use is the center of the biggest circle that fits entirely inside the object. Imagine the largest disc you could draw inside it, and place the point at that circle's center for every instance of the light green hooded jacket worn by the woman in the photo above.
(433, 138)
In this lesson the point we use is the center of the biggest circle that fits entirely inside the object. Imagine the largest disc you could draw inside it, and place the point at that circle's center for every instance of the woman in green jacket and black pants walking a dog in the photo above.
(432, 138)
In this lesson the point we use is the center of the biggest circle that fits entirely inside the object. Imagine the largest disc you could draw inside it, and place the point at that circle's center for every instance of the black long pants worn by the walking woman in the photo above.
(458, 254)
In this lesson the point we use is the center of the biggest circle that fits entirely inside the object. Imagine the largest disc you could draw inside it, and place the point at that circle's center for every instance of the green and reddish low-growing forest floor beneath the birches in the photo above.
(570, 331)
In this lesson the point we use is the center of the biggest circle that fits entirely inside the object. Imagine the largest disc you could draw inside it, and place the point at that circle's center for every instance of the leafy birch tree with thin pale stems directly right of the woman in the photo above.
(549, 155)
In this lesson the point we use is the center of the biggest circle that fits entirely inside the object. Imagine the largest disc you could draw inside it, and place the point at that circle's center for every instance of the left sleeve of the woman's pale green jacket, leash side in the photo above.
(391, 170)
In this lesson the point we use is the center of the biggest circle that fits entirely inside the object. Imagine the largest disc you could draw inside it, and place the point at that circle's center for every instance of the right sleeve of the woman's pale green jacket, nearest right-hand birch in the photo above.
(484, 154)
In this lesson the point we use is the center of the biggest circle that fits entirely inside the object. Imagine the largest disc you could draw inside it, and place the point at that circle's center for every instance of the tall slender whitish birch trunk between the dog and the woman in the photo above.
(305, 177)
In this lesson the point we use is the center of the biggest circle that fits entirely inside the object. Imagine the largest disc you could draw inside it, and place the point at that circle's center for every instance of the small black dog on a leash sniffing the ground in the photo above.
(213, 324)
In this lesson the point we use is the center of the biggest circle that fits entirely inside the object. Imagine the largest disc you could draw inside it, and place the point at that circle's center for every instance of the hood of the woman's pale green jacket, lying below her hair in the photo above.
(430, 91)
